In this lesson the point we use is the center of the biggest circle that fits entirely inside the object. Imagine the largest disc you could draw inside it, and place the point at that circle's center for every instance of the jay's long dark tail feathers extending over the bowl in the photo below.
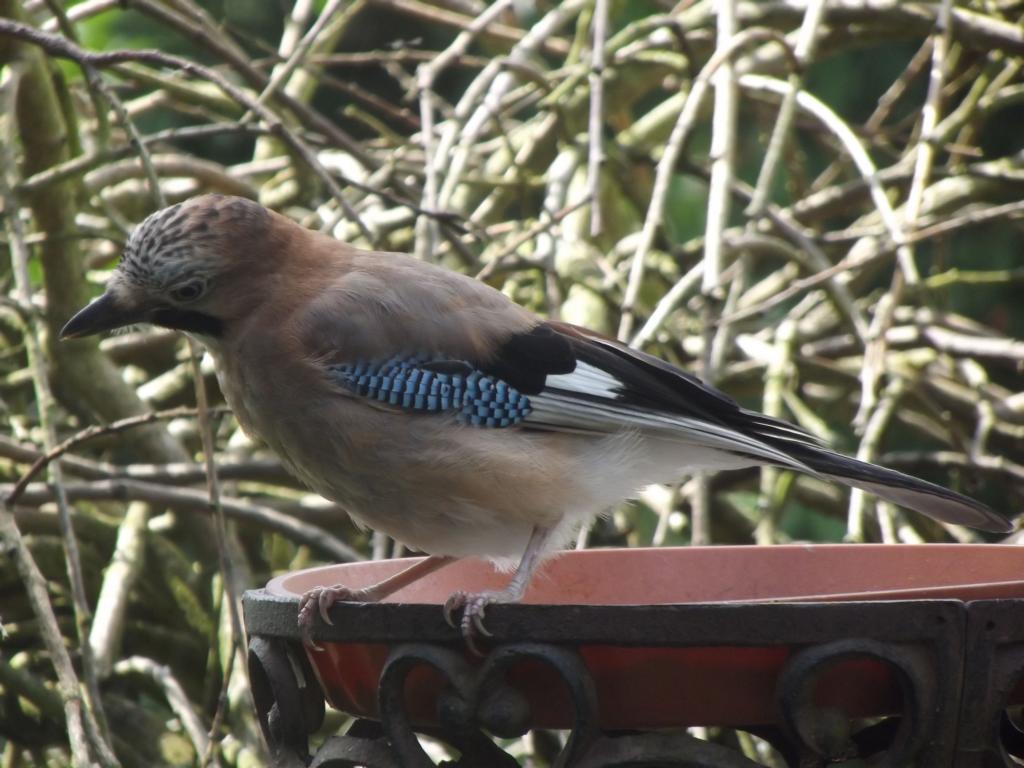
(924, 497)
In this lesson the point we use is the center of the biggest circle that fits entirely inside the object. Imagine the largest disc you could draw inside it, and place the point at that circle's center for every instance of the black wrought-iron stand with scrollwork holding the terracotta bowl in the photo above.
(956, 664)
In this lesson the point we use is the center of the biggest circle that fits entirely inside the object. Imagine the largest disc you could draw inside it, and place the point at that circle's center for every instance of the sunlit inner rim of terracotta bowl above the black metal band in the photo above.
(726, 574)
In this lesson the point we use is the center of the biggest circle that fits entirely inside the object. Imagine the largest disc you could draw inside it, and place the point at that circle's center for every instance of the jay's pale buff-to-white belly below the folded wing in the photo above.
(484, 493)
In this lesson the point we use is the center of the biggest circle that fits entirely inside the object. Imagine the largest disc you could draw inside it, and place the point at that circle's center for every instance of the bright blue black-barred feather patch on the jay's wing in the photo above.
(428, 387)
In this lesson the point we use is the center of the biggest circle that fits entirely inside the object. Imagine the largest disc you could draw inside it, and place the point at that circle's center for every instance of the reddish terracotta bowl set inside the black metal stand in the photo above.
(647, 688)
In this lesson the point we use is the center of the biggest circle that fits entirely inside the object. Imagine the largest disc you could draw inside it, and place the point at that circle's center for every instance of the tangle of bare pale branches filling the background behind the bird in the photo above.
(889, 334)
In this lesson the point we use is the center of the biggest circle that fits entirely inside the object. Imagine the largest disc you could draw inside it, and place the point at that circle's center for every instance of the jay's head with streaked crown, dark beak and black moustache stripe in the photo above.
(181, 270)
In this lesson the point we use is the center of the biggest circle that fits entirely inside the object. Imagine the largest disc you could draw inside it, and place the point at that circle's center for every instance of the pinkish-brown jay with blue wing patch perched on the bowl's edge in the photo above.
(435, 409)
